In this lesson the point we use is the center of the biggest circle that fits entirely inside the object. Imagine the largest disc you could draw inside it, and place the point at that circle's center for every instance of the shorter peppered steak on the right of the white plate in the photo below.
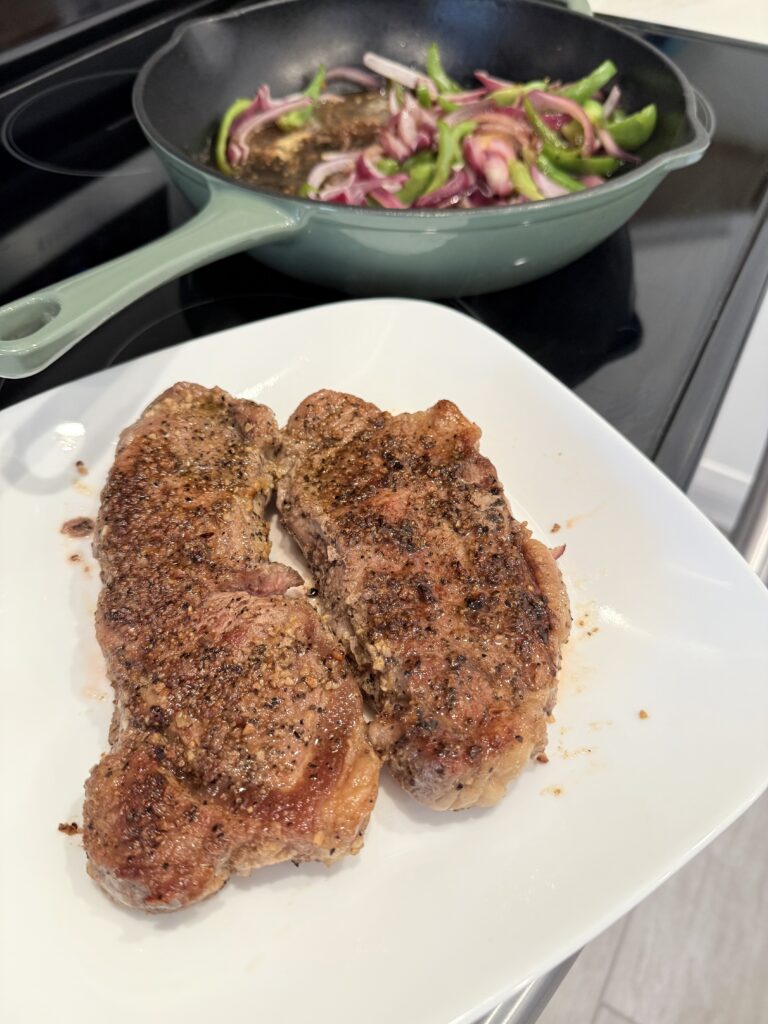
(454, 612)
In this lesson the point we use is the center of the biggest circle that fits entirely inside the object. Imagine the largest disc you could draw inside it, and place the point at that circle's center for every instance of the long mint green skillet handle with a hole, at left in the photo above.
(40, 328)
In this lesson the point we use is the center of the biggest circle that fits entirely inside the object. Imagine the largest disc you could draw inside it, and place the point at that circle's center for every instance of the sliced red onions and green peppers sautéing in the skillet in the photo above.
(412, 139)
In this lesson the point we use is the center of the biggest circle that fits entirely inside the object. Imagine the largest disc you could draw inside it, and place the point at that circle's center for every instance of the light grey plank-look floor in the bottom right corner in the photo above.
(695, 953)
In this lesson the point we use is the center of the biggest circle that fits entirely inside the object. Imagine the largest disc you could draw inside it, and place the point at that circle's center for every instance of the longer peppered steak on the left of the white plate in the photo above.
(238, 738)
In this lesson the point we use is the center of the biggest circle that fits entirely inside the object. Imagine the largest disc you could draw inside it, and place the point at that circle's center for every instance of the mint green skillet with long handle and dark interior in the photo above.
(185, 88)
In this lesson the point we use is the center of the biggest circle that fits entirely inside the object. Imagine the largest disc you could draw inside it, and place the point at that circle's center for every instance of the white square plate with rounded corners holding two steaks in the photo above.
(441, 916)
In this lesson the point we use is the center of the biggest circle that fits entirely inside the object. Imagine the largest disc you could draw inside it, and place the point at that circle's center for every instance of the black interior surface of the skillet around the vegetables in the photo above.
(184, 92)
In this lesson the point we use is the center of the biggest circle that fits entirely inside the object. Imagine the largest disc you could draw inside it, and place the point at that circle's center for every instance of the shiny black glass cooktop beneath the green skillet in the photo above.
(647, 328)
